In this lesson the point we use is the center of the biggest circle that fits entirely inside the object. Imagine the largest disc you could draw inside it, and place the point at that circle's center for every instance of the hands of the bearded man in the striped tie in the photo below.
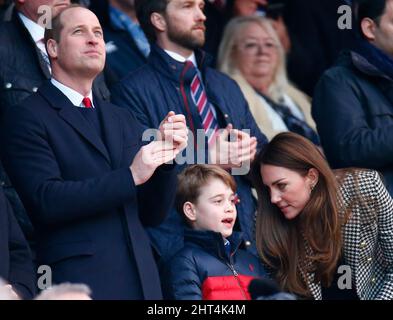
(233, 153)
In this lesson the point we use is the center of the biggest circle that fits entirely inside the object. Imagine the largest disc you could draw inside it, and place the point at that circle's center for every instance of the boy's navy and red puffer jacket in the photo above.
(203, 270)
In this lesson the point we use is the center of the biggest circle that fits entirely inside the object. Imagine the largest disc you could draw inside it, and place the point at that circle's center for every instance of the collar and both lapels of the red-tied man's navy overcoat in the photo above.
(111, 126)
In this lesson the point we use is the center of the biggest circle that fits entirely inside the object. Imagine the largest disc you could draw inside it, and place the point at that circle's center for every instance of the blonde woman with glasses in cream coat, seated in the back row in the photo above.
(251, 53)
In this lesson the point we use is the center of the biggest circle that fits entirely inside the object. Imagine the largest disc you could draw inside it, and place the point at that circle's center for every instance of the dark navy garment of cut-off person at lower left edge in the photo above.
(16, 266)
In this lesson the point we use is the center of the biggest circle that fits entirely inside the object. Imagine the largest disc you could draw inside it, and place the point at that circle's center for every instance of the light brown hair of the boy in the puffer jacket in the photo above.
(194, 178)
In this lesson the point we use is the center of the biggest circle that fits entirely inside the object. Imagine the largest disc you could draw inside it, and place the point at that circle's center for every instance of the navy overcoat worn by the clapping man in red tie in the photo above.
(88, 213)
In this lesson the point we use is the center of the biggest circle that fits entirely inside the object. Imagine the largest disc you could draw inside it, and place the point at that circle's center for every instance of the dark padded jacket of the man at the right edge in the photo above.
(353, 110)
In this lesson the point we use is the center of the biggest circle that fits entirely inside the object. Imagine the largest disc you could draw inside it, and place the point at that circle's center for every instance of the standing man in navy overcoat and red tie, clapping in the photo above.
(80, 168)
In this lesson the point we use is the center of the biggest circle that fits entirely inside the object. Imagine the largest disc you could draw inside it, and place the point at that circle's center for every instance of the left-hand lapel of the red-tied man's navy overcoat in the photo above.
(72, 116)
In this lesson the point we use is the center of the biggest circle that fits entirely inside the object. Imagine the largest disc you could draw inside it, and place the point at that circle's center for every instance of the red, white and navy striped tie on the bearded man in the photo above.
(205, 108)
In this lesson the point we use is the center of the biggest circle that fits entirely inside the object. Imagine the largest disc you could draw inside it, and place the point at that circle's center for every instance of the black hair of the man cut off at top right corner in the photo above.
(373, 9)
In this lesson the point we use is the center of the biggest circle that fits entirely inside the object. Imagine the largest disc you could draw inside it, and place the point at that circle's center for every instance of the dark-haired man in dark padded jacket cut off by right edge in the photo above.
(353, 102)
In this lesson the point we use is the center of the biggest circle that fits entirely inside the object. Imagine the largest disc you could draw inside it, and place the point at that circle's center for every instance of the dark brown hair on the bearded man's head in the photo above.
(144, 10)
